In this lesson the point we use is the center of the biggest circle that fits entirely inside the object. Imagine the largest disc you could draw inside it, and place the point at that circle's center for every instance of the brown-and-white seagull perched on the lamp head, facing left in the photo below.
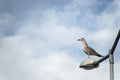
(87, 49)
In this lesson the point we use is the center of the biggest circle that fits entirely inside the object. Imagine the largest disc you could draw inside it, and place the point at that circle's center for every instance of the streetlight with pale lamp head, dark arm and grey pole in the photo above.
(89, 63)
